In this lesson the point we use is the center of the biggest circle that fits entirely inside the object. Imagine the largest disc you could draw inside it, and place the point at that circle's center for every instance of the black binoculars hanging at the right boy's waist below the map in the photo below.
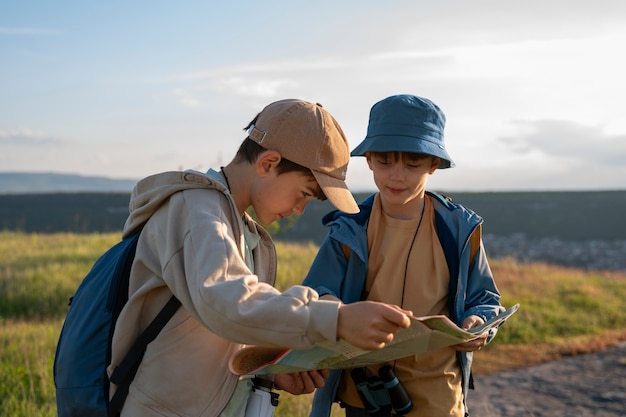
(382, 393)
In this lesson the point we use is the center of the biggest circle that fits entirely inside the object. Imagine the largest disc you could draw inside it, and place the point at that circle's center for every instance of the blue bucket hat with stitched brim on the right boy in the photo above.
(406, 123)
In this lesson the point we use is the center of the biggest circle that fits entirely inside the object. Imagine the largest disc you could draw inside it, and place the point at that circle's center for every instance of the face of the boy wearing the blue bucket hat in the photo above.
(401, 177)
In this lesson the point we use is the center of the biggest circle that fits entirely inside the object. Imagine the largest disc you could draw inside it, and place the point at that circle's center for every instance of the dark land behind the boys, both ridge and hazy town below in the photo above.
(580, 229)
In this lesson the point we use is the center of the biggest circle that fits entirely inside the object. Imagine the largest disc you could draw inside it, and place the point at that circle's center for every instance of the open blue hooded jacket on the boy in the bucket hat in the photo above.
(342, 273)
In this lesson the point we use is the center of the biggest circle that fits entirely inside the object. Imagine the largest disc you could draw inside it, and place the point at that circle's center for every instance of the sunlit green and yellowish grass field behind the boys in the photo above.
(563, 312)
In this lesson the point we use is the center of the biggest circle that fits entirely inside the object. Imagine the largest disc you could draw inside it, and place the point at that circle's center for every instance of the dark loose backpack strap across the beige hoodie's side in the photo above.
(125, 372)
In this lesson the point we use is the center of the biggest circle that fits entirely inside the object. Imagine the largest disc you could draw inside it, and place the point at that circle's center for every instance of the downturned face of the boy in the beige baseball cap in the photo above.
(277, 196)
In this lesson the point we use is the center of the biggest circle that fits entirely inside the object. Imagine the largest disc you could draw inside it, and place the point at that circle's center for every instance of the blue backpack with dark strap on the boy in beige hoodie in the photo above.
(84, 348)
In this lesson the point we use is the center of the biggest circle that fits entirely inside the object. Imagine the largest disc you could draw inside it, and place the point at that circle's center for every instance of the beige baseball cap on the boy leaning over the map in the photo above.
(307, 134)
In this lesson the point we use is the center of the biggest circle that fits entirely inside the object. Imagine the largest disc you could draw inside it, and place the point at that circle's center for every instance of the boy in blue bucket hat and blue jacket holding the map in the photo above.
(412, 248)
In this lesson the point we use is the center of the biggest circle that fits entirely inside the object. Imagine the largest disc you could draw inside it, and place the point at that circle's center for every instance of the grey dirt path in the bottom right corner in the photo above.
(581, 386)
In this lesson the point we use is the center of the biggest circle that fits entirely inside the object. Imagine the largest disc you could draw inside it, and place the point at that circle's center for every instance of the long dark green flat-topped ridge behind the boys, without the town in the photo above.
(573, 216)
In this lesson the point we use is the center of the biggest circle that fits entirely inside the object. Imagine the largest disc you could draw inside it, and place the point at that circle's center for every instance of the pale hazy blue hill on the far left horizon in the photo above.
(32, 183)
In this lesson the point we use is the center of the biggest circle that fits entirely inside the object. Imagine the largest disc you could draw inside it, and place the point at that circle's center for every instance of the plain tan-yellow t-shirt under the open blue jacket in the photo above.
(432, 379)
